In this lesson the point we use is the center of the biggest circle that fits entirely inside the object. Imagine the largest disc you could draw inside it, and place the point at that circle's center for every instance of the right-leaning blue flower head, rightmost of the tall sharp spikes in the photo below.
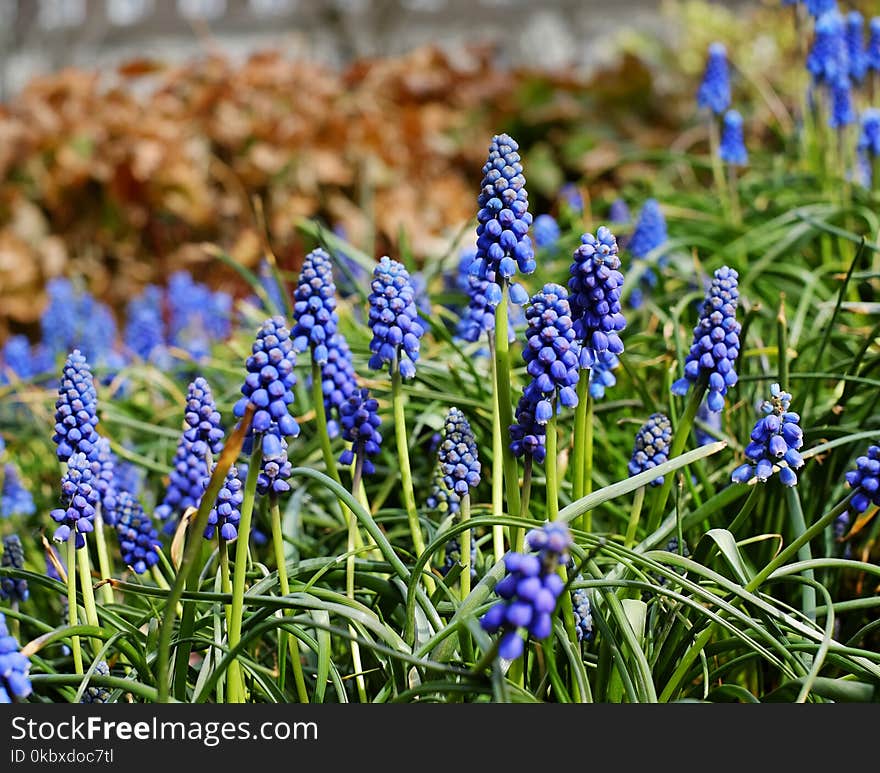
(715, 347)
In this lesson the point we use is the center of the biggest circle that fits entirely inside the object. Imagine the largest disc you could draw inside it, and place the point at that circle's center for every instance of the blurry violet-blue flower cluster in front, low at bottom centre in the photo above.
(530, 589)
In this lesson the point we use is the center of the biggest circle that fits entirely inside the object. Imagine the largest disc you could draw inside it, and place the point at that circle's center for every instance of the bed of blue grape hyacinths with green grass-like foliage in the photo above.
(320, 497)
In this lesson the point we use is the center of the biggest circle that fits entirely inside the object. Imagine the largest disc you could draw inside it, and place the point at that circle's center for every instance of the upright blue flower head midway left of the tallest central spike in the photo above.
(314, 306)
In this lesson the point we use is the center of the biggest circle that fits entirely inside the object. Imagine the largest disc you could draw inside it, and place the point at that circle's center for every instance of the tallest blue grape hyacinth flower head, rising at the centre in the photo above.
(503, 221)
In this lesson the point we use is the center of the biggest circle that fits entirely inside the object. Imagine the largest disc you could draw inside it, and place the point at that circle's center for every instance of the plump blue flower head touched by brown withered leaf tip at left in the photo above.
(269, 384)
